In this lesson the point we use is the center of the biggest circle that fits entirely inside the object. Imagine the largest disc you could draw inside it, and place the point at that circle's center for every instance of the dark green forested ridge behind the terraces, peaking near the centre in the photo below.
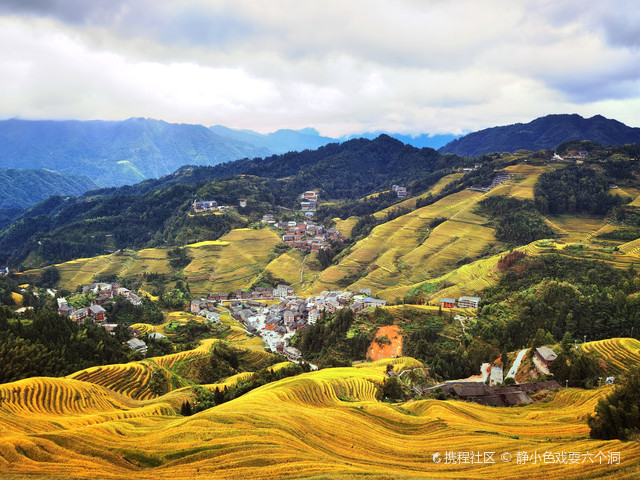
(156, 212)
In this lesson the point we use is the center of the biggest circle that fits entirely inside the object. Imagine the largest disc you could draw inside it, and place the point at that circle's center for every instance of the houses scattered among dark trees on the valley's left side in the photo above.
(96, 313)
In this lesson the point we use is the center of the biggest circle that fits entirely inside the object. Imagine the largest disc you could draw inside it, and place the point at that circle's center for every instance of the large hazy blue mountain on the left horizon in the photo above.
(115, 153)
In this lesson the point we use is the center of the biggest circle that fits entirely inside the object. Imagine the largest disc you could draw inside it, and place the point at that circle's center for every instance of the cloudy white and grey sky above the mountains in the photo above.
(344, 66)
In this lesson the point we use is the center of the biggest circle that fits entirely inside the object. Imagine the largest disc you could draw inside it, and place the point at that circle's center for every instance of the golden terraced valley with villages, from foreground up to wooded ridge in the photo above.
(216, 401)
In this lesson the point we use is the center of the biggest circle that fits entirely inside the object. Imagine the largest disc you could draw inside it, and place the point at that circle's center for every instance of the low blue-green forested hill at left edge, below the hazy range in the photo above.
(23, 188)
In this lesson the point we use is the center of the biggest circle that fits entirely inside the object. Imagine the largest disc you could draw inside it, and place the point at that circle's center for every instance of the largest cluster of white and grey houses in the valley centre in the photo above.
(277, 323)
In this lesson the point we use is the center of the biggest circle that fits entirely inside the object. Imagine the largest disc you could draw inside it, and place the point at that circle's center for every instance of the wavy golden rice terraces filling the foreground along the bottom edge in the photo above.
(329, 419)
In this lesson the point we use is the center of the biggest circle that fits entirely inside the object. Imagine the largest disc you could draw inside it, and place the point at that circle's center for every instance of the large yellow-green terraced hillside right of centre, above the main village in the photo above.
(404, 252)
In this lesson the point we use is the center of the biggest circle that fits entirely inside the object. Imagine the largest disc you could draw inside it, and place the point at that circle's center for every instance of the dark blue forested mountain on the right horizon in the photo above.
(543, 133)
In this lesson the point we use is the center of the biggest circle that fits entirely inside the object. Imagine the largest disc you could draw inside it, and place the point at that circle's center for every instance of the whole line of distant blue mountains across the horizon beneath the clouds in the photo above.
(115, 153)
